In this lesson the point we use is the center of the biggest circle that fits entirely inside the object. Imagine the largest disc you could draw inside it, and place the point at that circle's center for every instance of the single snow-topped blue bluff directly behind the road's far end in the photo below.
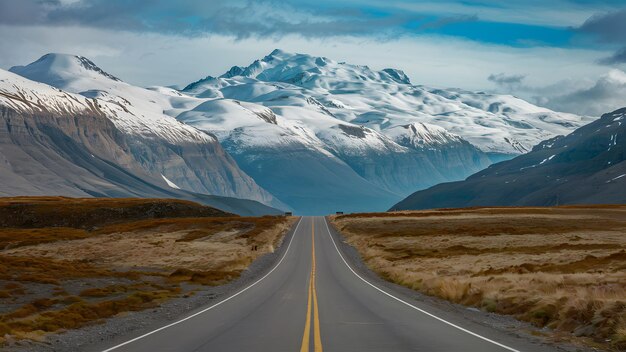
(286, 158)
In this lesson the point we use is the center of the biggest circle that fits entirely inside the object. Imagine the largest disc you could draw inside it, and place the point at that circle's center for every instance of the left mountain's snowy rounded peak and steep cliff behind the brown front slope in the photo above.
(161, 146)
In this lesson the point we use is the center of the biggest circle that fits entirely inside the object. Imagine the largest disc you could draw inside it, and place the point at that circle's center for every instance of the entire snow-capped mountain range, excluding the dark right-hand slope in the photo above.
(290, 131)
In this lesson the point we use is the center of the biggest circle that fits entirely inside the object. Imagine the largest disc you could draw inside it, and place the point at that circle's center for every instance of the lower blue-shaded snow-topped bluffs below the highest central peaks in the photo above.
(312, 161)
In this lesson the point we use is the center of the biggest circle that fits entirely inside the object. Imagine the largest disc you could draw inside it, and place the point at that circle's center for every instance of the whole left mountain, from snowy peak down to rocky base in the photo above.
(116, 122)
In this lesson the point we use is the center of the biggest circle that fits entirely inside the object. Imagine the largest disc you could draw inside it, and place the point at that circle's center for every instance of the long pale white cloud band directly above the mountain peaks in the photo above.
(154, 59)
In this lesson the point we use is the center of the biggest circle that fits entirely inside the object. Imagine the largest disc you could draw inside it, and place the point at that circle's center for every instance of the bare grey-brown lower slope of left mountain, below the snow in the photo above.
(42, 158)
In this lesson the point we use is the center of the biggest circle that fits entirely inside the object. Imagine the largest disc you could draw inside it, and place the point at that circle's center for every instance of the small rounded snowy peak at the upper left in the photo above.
(56, 67)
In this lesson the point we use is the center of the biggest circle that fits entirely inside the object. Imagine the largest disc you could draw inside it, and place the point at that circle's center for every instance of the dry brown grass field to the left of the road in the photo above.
(65, 263)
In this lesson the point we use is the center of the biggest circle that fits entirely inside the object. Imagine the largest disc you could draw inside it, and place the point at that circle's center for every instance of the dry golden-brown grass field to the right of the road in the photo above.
(563, 268)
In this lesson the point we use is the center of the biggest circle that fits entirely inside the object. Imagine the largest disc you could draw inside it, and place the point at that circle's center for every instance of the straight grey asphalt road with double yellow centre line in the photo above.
(313, 300)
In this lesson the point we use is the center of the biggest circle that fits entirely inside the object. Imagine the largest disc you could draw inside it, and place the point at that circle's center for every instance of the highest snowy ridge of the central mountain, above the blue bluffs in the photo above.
(280, 67)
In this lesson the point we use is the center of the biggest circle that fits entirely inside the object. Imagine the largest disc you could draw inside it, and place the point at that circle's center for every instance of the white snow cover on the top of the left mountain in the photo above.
(145, 112)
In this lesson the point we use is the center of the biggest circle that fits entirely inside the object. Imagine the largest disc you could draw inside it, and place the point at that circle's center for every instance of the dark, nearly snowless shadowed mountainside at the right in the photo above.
(587, 166)
